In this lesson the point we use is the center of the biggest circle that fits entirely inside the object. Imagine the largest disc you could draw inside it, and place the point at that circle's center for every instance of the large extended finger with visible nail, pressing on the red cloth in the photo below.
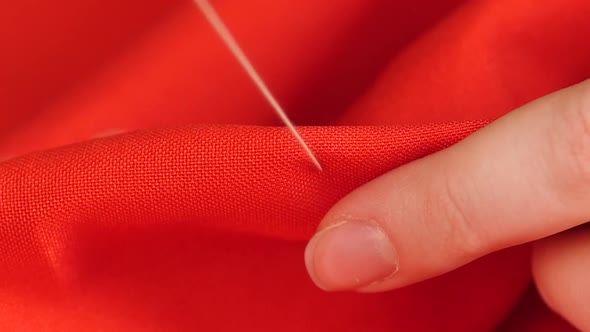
(524, 177)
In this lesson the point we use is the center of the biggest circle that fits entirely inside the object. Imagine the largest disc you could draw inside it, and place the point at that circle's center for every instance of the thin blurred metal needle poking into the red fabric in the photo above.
(223, 32)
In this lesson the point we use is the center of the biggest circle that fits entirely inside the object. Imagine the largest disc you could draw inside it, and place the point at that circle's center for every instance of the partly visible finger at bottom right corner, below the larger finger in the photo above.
(561, 268)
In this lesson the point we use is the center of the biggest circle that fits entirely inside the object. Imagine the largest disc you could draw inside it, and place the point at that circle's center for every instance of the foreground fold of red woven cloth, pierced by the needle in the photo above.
(160, 215)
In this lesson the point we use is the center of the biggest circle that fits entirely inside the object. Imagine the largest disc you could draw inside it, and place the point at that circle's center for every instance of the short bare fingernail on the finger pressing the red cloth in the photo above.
(350, 255)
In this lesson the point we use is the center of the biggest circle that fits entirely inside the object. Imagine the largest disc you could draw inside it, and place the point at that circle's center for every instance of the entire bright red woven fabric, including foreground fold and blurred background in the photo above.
(186, 223)
